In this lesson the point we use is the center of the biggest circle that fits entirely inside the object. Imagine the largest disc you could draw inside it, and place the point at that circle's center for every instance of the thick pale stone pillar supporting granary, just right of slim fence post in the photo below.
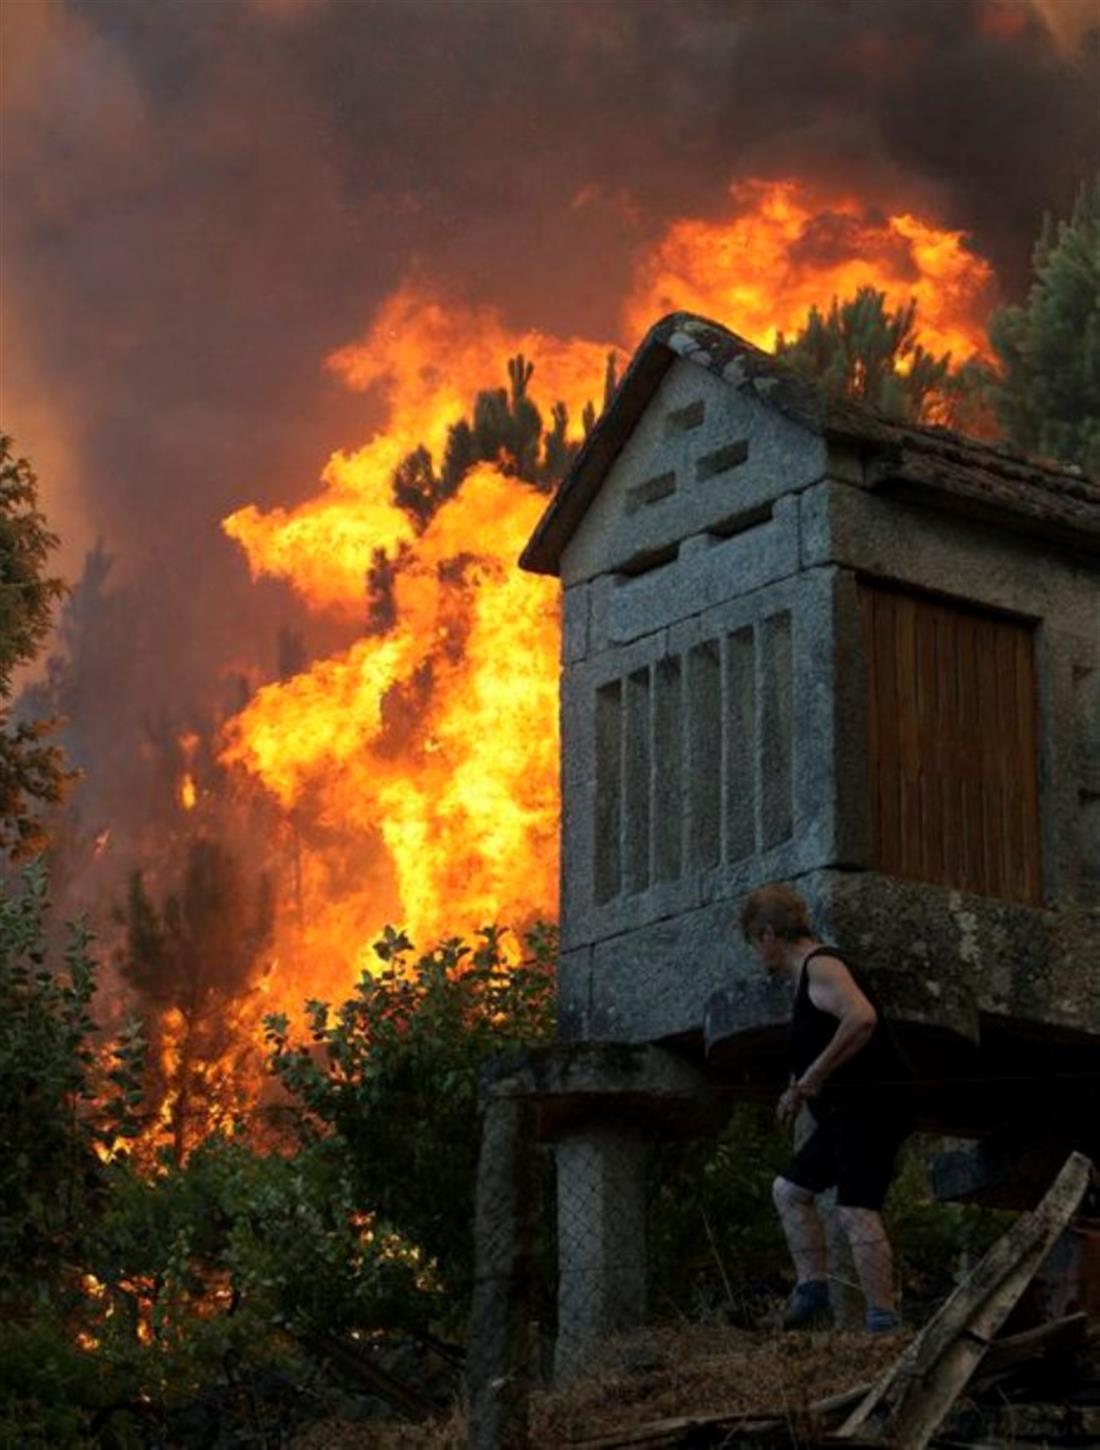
(602, 1264)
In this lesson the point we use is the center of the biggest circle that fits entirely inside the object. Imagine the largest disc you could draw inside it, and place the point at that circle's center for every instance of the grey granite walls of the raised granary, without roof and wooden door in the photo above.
(715, 714)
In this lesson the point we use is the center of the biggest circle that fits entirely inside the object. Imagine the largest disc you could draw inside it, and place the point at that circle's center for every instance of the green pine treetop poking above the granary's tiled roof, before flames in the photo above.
(872, 356)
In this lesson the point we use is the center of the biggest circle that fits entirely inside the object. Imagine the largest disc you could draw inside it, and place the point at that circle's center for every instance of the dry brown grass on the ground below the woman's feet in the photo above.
(656, 1375)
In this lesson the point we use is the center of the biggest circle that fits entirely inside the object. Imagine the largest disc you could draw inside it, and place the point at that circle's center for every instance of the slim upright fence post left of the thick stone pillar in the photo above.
(501, 1317)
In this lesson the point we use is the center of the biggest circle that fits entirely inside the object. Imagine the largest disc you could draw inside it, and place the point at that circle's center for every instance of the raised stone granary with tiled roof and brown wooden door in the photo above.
(808, 643)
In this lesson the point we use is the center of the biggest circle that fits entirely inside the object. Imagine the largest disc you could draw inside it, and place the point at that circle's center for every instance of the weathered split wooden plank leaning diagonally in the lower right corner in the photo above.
(927, 1375)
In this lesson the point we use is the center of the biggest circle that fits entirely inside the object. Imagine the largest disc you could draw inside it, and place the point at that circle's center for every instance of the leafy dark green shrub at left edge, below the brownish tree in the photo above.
(62, 1098)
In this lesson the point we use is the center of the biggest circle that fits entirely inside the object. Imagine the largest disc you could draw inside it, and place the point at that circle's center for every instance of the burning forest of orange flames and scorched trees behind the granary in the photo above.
(411, 775)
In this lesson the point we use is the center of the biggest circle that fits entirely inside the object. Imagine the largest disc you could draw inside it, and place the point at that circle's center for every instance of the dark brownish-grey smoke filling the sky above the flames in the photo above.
(204, 201)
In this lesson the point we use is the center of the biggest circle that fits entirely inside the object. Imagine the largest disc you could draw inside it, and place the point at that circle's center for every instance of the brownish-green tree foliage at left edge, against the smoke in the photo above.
(33, 772)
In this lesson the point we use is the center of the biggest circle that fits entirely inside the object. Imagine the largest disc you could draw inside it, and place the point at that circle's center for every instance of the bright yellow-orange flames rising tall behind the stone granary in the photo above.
(420, 769)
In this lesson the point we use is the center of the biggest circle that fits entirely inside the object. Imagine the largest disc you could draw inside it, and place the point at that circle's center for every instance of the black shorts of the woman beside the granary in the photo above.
(856, 1153)
